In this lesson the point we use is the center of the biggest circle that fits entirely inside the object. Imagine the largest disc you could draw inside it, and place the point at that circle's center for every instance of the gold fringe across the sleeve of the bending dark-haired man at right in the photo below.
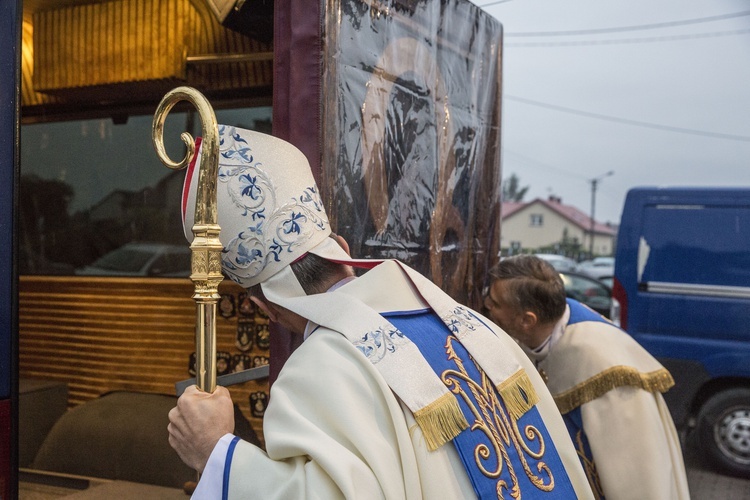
(617, 376)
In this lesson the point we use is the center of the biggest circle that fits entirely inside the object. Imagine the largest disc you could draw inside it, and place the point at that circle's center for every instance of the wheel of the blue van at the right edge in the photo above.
(724, 431)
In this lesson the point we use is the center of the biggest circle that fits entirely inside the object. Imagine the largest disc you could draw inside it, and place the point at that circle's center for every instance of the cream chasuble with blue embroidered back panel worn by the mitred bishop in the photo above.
(358, 411)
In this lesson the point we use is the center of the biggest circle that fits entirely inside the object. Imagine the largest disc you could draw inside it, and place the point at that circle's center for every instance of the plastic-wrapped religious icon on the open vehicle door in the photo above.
(450, 154)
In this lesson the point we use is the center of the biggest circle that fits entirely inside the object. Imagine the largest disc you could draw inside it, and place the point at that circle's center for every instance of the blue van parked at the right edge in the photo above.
(682, 279)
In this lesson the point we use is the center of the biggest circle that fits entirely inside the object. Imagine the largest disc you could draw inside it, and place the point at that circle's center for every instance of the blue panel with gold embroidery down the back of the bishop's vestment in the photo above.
(503, 458)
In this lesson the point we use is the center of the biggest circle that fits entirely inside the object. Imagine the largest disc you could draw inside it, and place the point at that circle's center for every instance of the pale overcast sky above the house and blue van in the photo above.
(657, 91)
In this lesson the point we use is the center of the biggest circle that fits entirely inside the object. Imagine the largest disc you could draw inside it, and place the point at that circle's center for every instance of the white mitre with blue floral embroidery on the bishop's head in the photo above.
(269, 208)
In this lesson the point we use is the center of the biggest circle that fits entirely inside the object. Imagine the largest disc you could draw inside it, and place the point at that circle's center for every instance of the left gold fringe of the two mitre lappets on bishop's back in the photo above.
(441, 421)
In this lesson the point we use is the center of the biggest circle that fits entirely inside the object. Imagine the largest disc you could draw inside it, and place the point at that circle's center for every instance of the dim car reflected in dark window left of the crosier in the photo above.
(142, 259)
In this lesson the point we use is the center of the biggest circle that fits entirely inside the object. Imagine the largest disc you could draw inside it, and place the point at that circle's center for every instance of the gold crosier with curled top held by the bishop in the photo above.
(205, 262)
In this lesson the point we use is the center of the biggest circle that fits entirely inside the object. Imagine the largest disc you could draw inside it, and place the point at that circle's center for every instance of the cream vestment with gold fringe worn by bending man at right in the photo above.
(617, 385)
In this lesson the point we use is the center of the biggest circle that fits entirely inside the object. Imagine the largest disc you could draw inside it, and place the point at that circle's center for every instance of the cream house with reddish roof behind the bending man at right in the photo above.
(542, 225)
